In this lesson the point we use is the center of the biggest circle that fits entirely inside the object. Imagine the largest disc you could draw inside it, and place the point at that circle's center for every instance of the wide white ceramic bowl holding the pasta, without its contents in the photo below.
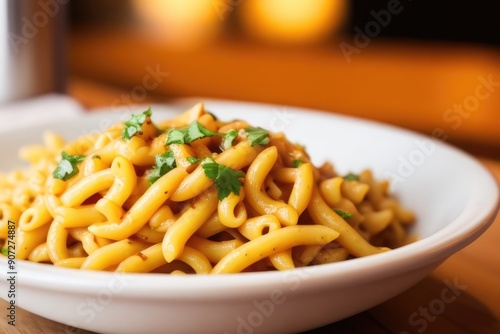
(454, 197)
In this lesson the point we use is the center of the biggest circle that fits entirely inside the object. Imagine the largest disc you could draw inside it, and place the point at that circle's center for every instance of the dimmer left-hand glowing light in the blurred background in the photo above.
(179, 22)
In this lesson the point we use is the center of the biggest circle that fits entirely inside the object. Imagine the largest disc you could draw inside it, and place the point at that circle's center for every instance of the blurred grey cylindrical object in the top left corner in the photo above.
(32, 51)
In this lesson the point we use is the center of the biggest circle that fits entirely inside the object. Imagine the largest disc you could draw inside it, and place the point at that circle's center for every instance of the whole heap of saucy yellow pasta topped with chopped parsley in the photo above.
(192, 194)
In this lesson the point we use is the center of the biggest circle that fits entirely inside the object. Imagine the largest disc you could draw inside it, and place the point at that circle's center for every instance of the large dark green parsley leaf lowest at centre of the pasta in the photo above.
(226, 179)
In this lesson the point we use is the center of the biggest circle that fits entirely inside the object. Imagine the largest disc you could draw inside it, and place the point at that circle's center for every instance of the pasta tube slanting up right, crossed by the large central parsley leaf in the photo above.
(236, 157)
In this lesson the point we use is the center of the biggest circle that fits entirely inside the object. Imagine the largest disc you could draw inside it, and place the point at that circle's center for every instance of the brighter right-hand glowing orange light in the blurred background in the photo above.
(292, 21)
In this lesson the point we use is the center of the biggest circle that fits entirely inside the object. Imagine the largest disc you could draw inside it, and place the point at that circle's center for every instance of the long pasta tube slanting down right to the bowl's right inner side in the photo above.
(322, 214)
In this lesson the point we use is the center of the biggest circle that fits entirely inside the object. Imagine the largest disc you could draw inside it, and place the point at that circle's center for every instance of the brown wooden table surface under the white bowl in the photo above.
(476, 309)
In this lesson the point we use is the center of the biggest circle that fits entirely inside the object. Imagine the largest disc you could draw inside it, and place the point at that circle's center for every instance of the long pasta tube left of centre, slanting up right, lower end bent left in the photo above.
(143, 209)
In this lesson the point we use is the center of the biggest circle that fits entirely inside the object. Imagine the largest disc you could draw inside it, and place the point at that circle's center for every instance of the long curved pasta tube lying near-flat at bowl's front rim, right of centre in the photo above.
(274, 242)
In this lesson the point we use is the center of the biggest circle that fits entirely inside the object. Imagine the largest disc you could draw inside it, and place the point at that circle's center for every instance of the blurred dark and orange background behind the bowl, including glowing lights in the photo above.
(430, 66)
